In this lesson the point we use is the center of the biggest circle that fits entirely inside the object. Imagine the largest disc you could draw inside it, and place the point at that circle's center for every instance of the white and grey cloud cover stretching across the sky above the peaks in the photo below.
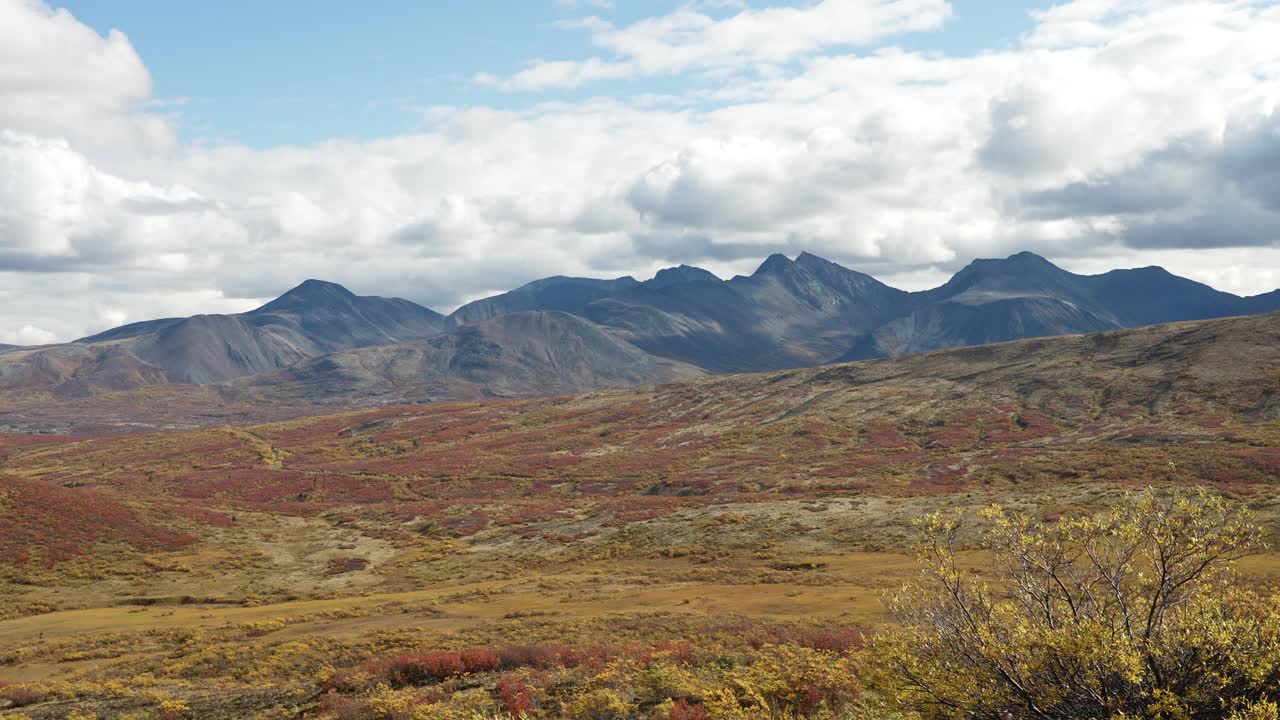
(1121, 135)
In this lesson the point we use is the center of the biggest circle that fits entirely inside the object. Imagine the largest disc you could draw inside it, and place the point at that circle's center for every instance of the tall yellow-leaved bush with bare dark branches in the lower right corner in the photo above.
(1132, 614)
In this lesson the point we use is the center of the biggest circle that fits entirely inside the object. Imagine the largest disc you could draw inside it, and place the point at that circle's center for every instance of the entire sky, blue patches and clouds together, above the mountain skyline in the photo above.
(164, 158)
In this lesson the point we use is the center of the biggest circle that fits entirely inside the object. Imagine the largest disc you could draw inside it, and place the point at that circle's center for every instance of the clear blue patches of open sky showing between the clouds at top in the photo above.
(295, 74)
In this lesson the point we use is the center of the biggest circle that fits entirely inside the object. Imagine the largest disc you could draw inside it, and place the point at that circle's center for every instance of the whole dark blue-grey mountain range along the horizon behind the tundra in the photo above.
(321, 344)
